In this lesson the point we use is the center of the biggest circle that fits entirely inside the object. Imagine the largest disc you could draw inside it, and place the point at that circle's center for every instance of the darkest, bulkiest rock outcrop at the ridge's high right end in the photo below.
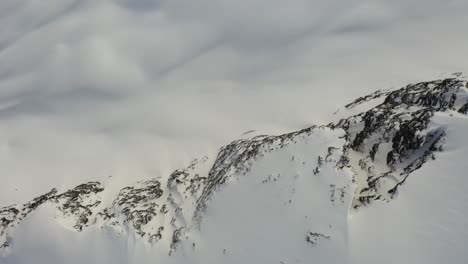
(391, 140)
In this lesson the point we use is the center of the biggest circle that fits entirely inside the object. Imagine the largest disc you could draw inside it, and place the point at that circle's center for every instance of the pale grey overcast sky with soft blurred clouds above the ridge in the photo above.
(136, 88)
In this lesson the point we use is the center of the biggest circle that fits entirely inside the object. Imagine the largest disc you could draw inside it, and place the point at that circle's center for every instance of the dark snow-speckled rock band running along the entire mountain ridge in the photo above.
(382, 146)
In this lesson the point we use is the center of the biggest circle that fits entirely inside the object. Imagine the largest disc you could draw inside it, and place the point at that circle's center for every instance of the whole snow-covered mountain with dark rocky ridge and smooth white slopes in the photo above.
(385, 182)
